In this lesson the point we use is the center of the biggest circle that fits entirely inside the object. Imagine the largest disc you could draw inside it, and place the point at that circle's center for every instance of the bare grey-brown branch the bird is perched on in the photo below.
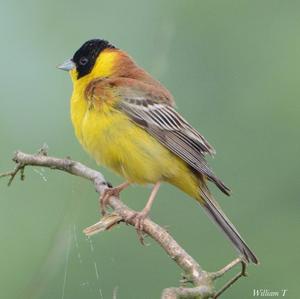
(201, 280)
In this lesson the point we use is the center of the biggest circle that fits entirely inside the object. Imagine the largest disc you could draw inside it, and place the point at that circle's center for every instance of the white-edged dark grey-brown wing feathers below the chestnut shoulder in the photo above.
(170, 129)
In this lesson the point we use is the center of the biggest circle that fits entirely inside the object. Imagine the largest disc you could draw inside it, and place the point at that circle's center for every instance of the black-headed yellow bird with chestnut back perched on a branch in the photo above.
(127, 121)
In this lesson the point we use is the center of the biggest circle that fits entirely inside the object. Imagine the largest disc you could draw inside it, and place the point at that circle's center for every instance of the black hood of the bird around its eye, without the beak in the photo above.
(86, 56)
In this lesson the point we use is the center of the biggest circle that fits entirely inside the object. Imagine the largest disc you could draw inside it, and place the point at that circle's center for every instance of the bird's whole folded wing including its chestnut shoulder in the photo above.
(152, 109)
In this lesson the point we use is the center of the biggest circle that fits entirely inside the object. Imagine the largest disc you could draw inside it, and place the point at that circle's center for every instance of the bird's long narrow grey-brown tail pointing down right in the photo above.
(217, 215)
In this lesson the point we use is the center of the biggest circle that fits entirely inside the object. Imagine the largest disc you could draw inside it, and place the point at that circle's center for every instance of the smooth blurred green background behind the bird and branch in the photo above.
(234, 69)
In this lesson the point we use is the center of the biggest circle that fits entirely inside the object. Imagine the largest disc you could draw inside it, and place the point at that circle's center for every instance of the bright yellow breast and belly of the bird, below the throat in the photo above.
(117, 143)
